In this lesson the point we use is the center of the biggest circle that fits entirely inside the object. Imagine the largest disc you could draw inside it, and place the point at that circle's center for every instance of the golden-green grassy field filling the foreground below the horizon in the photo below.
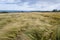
(30, 26)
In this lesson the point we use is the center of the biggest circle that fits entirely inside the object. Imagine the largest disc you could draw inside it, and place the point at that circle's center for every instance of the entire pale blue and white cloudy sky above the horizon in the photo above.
(29, 4)
